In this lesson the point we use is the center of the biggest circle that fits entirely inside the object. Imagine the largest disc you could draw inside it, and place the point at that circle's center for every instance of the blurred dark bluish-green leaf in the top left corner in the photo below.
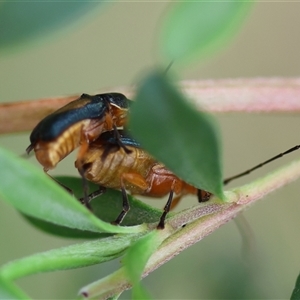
(21, 22)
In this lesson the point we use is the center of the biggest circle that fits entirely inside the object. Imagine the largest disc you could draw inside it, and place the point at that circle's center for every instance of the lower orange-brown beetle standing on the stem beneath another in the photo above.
(108, 165)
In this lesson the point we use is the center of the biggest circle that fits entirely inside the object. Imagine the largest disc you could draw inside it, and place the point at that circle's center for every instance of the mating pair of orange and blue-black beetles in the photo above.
(107, 156)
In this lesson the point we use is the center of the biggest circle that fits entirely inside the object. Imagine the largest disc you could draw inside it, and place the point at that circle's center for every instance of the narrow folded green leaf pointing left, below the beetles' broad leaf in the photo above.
(74, 256)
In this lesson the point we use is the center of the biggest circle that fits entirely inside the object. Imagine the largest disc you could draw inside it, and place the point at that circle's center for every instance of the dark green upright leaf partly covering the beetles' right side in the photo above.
(185, 140)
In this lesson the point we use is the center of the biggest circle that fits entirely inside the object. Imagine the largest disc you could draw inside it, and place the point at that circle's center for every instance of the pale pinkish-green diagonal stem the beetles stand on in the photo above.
(203, 220)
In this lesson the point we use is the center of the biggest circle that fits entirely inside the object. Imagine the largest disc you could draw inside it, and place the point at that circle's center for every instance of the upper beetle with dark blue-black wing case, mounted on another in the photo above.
(76, 125)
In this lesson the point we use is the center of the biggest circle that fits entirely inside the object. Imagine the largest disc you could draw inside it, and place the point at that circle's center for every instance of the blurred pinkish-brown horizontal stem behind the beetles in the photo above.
(225, 95)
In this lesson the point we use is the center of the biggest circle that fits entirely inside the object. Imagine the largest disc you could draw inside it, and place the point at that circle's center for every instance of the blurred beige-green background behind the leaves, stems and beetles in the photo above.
(113, 46)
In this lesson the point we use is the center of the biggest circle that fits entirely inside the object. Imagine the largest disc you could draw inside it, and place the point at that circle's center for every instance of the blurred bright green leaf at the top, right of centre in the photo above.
(192, 29)
